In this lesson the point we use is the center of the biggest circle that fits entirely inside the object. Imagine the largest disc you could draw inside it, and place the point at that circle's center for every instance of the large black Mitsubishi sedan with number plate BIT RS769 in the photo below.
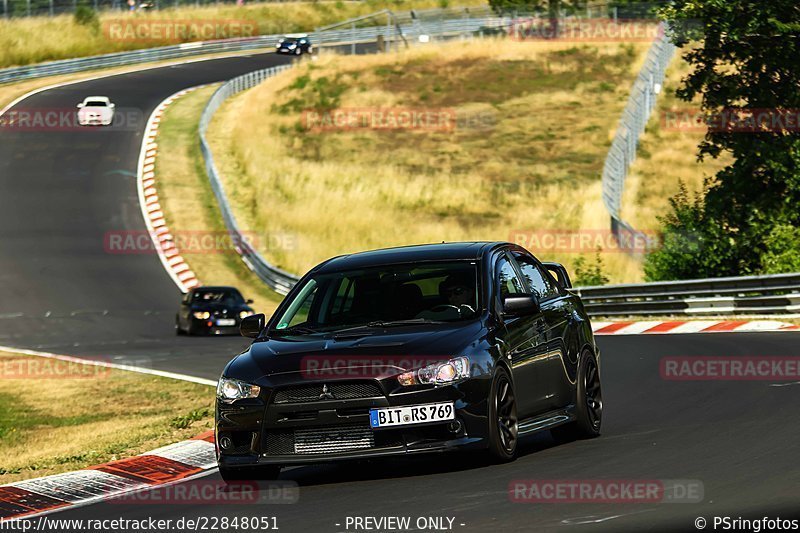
(410, 350)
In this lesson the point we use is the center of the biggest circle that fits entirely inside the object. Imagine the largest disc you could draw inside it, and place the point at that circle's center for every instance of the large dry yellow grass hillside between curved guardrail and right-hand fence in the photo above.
(555, 107)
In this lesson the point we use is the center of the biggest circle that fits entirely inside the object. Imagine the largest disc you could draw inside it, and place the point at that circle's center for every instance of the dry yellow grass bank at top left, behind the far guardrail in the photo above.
(32, 40)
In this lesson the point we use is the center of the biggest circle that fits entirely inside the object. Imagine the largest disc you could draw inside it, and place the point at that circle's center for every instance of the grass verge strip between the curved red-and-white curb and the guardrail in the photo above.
(189, 204)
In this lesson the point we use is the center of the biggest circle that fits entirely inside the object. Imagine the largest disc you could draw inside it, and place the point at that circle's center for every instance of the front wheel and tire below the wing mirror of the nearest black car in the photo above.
(503, 428)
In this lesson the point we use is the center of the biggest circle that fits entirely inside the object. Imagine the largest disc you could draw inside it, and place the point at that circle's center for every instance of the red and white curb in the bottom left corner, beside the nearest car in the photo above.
(170, 464)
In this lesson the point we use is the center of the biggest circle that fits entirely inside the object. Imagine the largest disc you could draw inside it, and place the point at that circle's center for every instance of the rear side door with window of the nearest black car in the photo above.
(552, 384)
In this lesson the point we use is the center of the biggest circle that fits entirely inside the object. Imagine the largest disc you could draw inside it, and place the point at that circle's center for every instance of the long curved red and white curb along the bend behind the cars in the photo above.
(163, 240)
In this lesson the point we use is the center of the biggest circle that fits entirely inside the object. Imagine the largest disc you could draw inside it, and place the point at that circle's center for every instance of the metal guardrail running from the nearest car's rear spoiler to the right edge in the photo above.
(770, 294)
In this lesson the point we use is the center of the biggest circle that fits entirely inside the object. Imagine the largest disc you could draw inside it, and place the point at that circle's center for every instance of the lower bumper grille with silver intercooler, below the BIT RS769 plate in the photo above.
(329, 439)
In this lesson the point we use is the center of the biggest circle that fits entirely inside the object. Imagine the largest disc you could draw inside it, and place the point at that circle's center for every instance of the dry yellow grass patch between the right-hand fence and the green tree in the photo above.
(666, 157)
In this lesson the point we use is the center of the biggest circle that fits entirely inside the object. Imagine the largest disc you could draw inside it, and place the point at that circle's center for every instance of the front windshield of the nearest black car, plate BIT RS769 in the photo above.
(384, 296)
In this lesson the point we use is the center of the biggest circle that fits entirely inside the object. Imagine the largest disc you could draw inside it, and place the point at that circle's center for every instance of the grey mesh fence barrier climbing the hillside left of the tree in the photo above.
(631, 126)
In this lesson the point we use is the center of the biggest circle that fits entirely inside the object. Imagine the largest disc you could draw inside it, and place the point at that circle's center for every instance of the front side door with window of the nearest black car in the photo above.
(522, 339)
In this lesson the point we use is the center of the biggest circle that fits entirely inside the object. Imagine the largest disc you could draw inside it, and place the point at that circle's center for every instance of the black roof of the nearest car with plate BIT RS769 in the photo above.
(446, 251)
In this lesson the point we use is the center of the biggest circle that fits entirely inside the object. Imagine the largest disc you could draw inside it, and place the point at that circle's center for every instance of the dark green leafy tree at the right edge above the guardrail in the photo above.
(745, 56)
